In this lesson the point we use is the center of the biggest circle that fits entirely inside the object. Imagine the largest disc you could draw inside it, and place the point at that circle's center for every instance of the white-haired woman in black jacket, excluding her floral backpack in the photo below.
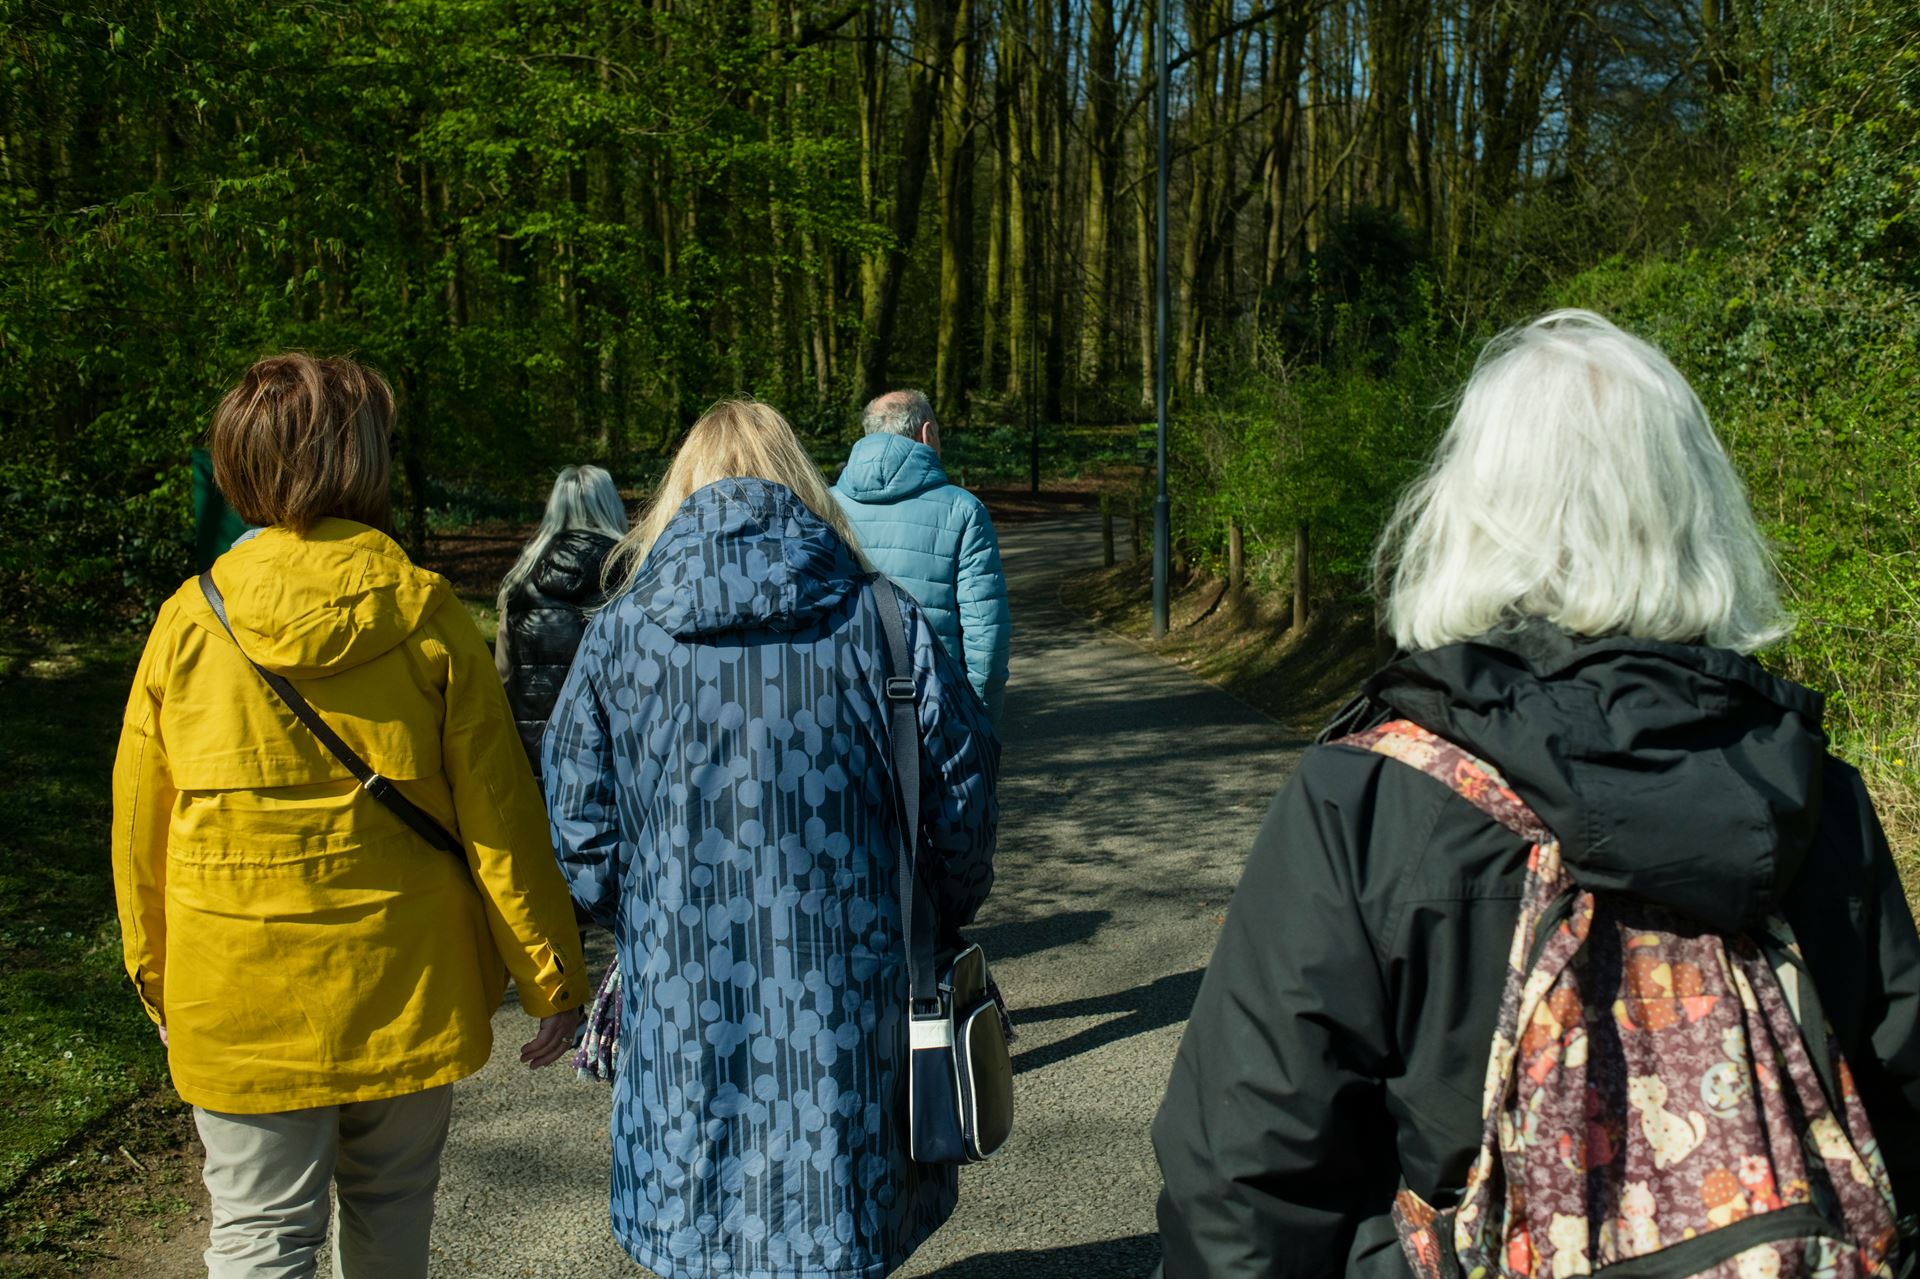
(1579, 585)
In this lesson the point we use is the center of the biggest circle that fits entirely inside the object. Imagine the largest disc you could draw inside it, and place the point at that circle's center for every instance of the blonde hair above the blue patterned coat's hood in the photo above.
(736, 439)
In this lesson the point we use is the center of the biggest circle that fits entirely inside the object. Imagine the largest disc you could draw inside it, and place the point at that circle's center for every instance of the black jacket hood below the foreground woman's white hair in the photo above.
(1681, 775)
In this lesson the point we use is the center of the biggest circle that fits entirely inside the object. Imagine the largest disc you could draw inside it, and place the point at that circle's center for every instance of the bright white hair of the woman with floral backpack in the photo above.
(1579, 483)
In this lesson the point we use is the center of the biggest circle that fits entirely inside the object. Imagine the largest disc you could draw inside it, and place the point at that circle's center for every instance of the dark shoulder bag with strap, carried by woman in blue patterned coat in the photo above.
(961, 1078)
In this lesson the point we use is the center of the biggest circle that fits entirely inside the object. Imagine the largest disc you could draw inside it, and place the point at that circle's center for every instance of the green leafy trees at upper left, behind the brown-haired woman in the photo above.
(542, 222)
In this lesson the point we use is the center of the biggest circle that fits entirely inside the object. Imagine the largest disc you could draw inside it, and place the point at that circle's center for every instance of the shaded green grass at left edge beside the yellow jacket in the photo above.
(74, 1044)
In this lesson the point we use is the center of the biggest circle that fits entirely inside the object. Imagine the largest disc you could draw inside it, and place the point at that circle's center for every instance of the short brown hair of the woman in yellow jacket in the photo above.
(302, 439)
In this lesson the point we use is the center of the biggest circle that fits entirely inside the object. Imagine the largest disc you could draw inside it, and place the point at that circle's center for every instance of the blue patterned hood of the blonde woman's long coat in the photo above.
(746, 554)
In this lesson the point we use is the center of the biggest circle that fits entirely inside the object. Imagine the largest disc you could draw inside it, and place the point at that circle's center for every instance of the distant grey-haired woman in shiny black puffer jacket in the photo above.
(546, 596)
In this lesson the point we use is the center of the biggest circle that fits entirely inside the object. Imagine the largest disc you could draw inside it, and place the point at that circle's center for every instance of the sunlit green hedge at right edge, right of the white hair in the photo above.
(1800, 329)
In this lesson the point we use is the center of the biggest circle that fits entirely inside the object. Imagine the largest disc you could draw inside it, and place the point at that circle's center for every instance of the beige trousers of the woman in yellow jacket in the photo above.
(270, 1172)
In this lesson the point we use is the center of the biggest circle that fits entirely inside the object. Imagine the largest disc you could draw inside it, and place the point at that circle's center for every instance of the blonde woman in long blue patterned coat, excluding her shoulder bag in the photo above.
(721, 792)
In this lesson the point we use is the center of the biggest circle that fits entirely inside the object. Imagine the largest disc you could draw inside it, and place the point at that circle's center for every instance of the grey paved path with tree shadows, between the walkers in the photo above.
(1130, 798)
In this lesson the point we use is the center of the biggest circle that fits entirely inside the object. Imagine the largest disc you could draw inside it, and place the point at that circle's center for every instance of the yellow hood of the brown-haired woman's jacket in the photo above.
(322, 602)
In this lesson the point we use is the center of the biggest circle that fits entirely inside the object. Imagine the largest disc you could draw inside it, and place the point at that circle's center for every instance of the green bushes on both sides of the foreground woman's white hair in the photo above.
(1798, 322)
